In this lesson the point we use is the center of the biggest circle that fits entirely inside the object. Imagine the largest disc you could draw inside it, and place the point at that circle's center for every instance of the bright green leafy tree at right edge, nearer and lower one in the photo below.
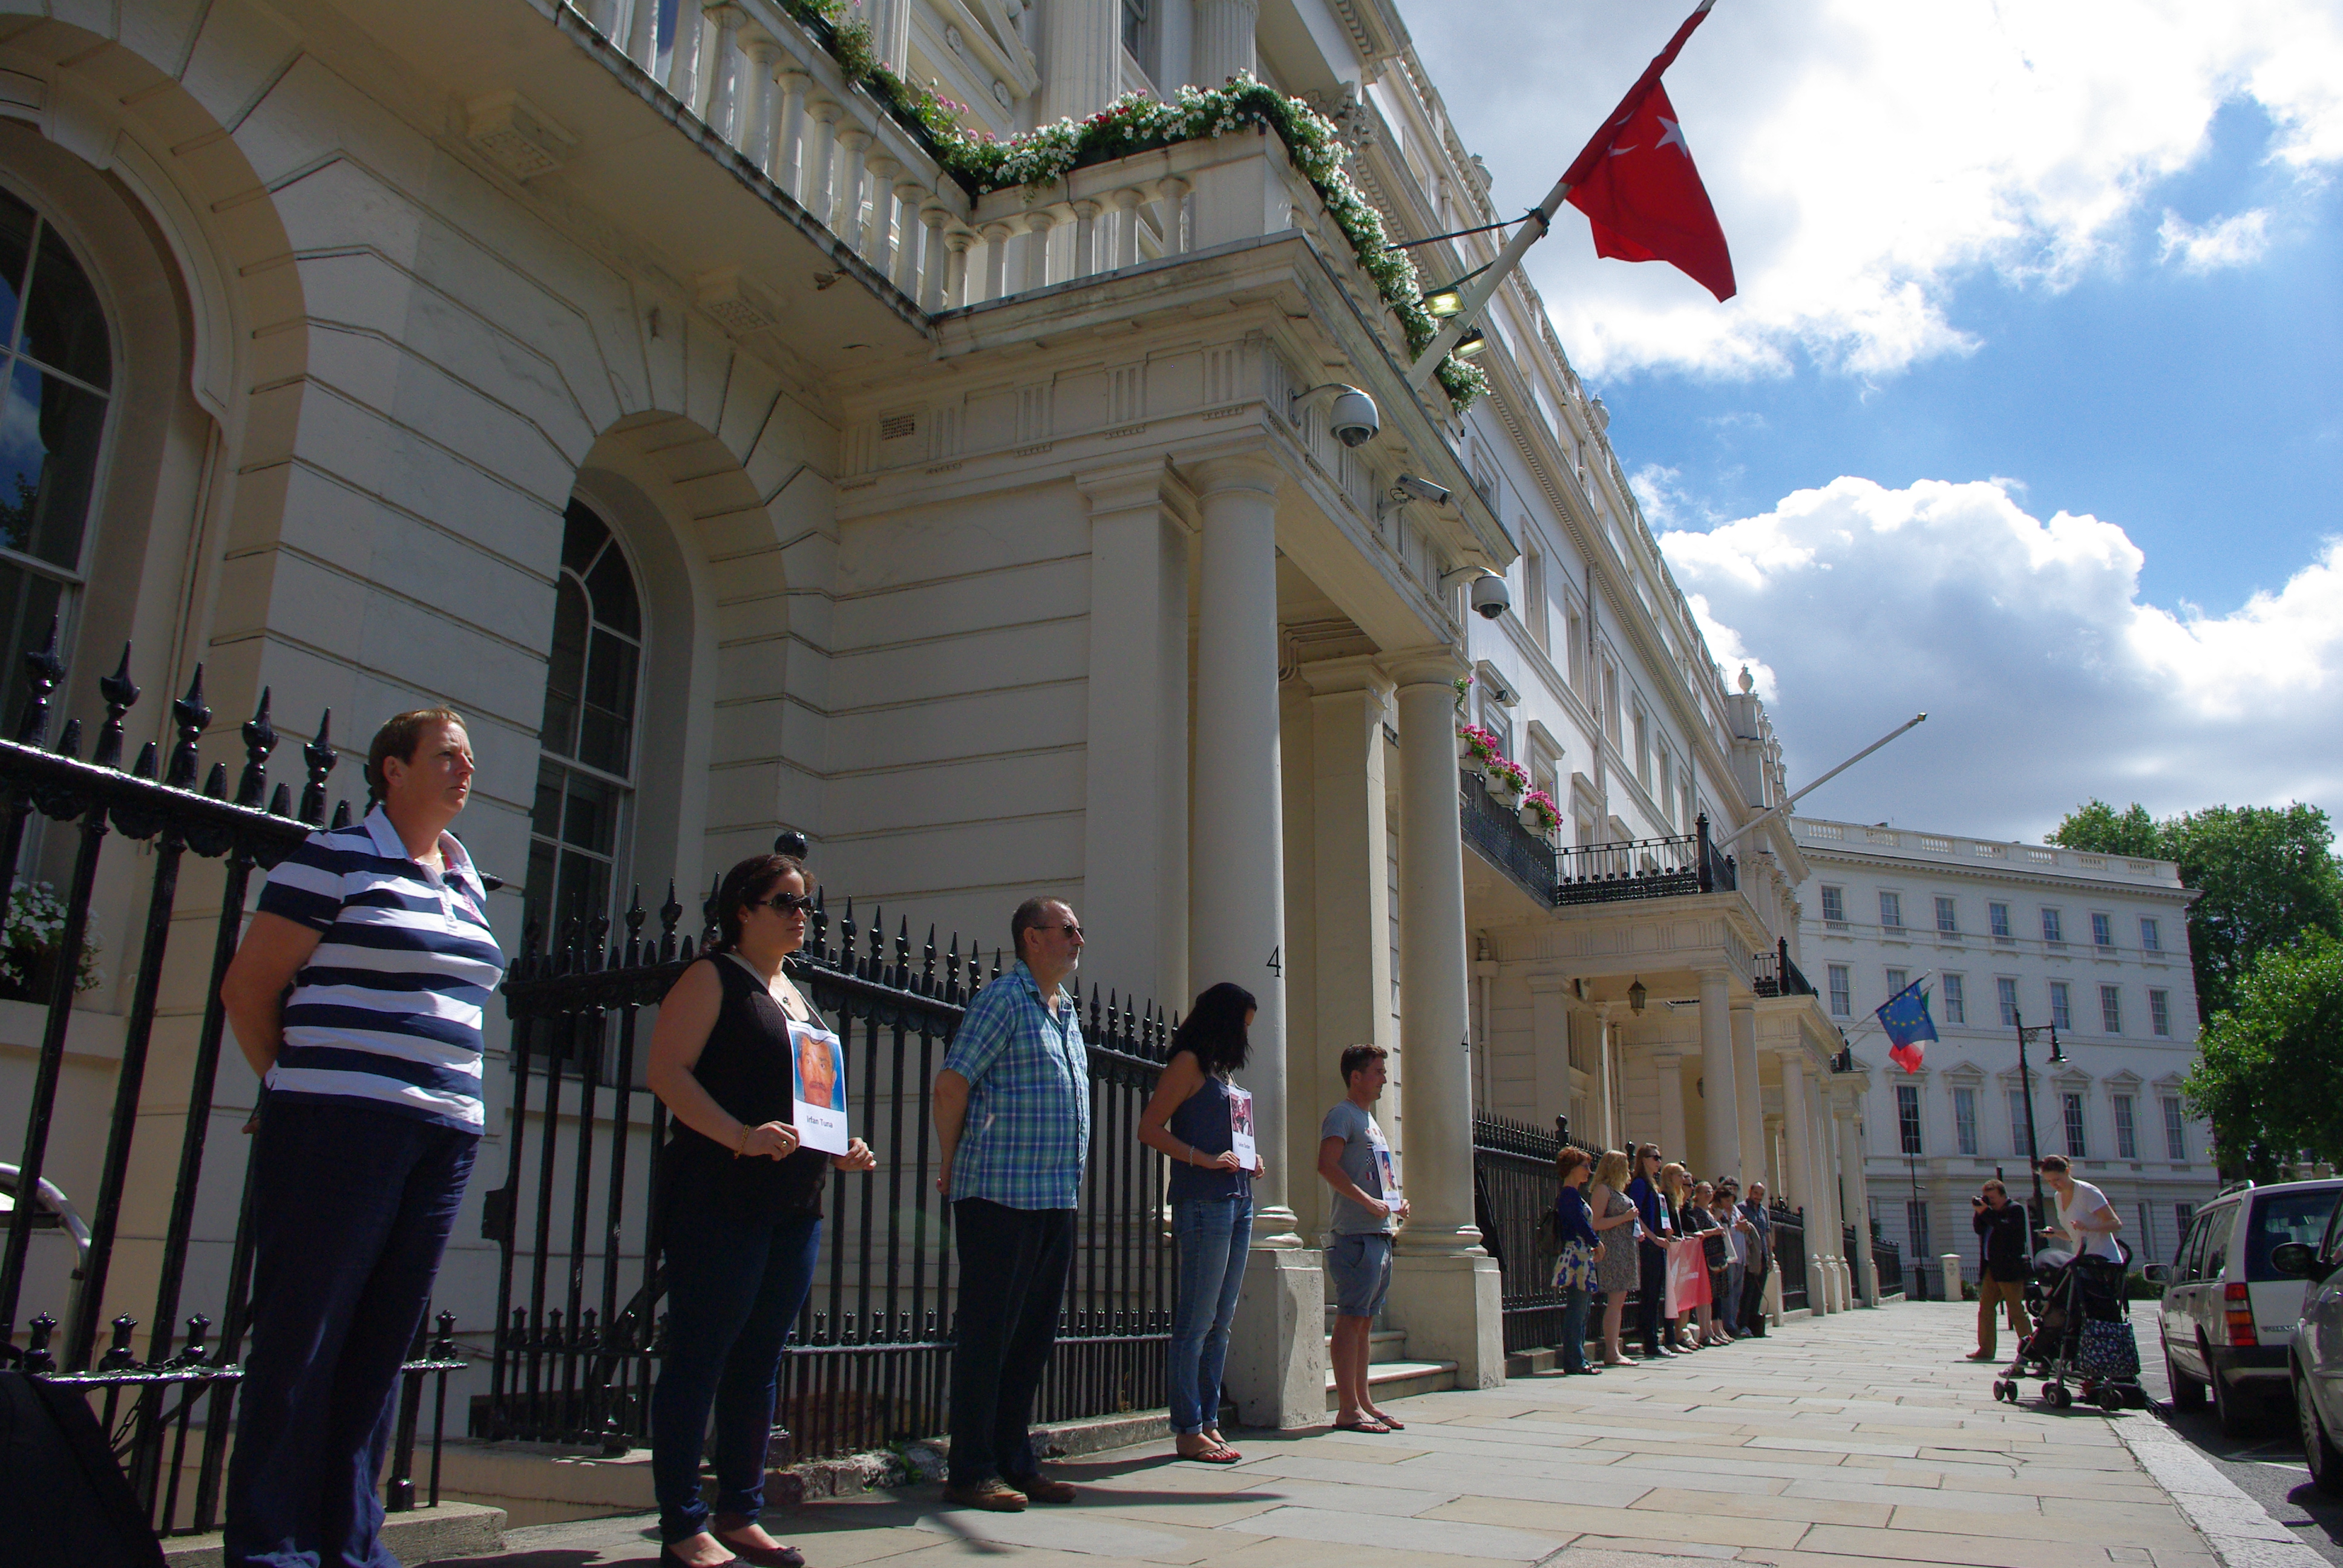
(2269, 1068)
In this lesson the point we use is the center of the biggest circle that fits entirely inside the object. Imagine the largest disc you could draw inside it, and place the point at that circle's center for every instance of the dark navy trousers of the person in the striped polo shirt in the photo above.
(350, 1215)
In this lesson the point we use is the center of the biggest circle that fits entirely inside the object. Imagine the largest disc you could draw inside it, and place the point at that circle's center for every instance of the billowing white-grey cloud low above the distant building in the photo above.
(2044, 674)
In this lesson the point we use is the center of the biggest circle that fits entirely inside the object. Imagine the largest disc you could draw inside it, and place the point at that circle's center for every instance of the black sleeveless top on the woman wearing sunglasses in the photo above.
(746, 1068)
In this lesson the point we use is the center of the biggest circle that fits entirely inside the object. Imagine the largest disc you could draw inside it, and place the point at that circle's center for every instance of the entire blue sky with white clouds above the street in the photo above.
(2030, 409)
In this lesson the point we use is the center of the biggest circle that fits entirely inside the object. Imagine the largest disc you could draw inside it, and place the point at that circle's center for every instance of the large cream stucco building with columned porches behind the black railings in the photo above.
(641, 388)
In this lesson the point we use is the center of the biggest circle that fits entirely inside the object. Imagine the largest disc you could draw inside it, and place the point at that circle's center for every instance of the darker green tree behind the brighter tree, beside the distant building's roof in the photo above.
(2265, 878)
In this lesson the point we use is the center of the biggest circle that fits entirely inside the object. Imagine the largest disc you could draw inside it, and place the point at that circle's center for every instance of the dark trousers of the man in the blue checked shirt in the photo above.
(1013, 1276)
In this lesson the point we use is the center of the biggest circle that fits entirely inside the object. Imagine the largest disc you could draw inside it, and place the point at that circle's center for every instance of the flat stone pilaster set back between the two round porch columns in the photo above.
(1353, 911)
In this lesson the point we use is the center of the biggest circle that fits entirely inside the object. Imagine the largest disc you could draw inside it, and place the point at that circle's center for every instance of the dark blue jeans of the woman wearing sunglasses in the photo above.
(735, 1290)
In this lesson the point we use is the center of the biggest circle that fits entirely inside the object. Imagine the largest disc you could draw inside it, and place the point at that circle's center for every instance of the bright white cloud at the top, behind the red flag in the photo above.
(1864, 158)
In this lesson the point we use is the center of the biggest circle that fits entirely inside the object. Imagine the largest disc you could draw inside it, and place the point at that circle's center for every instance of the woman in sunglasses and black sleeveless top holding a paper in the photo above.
(742, 1211)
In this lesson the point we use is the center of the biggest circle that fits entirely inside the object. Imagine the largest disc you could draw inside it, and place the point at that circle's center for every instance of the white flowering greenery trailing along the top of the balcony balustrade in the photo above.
(1138, 123)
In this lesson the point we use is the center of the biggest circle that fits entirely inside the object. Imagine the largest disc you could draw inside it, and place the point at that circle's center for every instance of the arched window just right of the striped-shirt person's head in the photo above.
(587, 775)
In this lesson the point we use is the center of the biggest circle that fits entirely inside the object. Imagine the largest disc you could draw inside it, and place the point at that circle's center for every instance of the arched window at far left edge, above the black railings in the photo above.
(55, 381)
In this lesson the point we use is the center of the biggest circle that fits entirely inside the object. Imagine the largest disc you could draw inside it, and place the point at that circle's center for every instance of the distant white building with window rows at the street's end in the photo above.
(2093, 946)
